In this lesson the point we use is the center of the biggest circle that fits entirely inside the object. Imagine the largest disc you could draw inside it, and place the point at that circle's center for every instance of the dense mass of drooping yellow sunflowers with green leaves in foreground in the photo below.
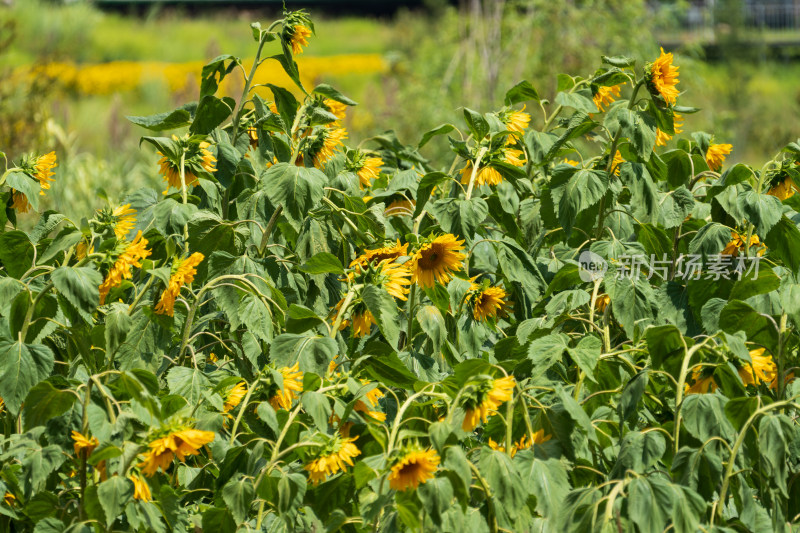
(586, 321)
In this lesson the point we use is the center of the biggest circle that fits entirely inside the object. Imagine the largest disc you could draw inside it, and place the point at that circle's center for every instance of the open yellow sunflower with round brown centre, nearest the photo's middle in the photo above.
(436, 260)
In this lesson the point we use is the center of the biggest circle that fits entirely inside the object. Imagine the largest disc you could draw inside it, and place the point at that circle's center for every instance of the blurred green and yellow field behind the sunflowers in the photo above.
(72, 72)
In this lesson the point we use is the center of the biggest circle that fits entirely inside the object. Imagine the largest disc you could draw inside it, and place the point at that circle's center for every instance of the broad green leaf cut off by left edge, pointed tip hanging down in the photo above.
(21, 367)
